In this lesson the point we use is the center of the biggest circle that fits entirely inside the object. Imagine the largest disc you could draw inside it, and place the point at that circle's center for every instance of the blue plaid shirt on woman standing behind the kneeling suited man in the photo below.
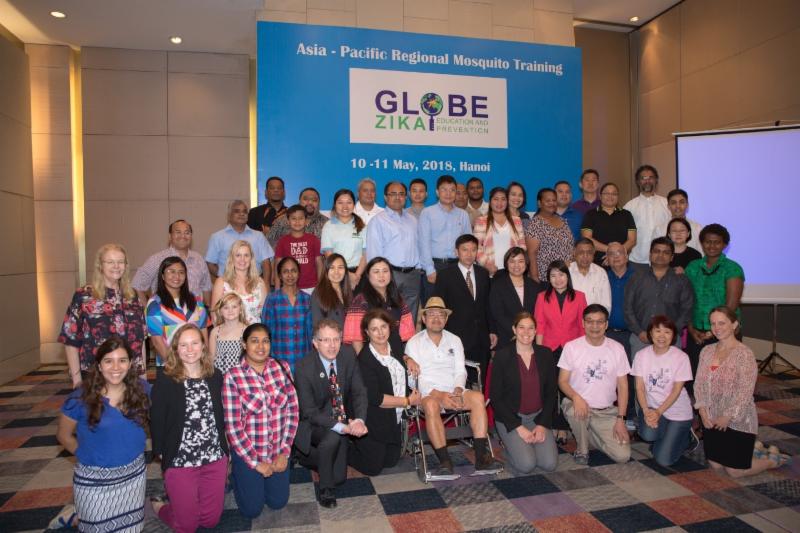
(289, 325)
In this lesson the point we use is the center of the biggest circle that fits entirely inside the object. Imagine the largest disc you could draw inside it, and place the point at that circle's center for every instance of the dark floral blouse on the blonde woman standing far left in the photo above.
(89, 322)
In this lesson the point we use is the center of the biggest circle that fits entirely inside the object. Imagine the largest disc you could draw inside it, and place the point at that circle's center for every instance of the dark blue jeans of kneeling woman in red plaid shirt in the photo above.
(252, 490)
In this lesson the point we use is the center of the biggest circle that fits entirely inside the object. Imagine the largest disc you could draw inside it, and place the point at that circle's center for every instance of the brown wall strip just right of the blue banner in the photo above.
(606, 105)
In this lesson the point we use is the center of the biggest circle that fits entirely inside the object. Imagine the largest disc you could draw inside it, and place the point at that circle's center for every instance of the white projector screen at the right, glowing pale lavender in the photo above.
(744, 180)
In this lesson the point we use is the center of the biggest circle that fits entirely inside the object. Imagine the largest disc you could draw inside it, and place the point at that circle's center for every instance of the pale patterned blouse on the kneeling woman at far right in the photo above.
(728, 390)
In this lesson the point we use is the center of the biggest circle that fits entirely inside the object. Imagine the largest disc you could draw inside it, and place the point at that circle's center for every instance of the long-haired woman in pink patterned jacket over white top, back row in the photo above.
(497, 232)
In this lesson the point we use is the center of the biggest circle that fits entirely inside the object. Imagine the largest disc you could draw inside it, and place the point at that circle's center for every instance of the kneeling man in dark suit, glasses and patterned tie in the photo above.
(333, 406)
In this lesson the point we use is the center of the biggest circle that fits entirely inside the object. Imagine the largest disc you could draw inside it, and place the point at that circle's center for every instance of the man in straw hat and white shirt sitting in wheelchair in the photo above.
(436, 356)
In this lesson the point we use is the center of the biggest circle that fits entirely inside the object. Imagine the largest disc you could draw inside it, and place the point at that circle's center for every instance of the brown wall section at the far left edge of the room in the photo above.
(19, 328)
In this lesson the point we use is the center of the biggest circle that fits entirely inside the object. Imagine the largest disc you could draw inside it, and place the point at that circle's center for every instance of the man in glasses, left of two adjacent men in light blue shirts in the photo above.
(392, 234)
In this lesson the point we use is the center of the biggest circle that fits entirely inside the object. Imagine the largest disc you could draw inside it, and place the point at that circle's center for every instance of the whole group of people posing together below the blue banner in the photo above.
(562, 322)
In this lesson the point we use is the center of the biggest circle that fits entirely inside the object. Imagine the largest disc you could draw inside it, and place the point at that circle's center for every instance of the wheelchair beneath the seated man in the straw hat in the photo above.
(457, 428)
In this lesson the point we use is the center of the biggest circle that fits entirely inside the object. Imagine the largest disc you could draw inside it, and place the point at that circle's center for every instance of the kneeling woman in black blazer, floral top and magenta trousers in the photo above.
(187, 427)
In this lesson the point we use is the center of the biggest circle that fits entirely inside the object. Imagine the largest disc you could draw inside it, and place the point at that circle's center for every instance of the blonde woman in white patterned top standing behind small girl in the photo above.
(241, 277)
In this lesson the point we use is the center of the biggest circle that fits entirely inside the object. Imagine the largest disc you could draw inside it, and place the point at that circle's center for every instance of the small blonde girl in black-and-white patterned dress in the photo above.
(225, 345)
